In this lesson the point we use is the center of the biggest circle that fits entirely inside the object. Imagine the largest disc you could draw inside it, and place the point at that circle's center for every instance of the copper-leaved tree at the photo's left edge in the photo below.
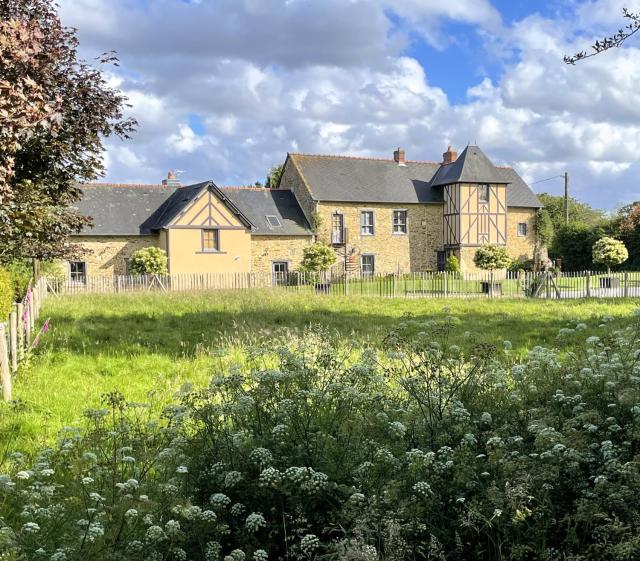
(55, 112)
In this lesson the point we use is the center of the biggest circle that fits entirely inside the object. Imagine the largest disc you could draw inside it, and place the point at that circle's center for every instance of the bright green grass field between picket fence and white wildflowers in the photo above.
(148, 345)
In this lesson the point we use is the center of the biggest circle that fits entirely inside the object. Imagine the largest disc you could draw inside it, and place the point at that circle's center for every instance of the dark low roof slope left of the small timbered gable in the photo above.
(121, 209)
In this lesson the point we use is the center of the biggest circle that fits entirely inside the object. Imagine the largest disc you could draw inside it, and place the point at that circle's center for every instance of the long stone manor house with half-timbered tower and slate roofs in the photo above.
(380, 215)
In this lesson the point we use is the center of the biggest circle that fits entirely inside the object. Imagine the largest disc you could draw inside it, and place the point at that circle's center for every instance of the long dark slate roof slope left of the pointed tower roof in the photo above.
(362, 180)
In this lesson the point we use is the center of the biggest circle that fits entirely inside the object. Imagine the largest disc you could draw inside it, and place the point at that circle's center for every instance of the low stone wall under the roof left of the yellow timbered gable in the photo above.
(105, 255)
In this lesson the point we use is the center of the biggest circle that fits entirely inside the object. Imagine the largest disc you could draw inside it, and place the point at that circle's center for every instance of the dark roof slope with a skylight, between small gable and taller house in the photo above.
(257, 204)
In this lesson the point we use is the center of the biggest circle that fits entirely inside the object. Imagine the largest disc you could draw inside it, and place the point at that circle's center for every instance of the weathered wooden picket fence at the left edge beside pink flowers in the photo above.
(17, 334)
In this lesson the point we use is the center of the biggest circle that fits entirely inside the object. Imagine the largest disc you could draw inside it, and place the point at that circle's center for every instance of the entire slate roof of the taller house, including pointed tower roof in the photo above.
(368, 180)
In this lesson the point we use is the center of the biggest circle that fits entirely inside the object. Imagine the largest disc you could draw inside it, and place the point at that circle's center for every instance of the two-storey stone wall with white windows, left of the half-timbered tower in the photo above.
(415, 251)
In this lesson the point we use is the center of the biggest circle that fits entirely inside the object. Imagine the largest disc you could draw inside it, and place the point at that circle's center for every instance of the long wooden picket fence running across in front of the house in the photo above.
(585, 284)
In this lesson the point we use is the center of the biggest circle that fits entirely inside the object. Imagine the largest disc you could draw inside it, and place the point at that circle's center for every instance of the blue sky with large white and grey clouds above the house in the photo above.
(223, 89)
